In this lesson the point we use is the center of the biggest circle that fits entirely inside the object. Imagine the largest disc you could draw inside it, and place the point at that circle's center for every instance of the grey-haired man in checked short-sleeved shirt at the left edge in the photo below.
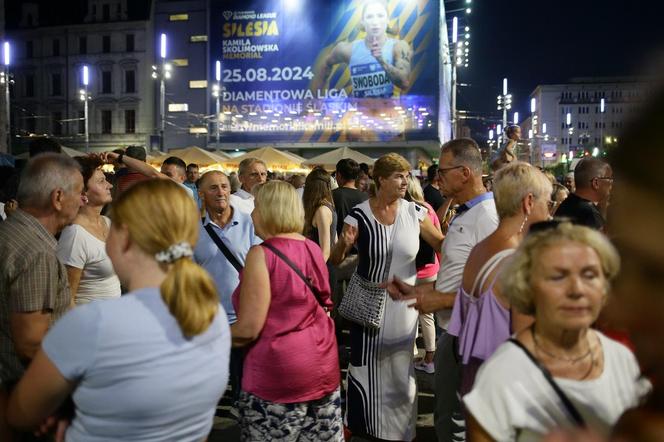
(34, 291)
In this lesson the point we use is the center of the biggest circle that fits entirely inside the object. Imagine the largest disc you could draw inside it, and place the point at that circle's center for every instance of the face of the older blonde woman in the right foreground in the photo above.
(568, 286)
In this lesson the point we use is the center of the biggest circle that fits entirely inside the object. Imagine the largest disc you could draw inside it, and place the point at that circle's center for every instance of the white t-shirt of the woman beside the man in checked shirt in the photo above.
(81, 249)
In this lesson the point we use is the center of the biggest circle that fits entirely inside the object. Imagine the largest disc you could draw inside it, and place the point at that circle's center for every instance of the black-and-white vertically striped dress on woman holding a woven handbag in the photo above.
(381, 388)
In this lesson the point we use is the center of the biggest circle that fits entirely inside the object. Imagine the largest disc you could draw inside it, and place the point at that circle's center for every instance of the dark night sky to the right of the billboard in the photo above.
(551, 41)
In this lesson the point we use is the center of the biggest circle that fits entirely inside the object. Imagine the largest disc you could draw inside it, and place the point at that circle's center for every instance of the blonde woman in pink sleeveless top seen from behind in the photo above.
(290, 383)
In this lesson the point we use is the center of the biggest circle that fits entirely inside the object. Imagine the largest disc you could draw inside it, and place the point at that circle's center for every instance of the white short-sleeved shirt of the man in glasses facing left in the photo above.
(465, 231)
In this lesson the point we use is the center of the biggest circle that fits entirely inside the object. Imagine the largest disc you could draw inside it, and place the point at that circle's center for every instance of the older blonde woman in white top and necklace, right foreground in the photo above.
(559, 372)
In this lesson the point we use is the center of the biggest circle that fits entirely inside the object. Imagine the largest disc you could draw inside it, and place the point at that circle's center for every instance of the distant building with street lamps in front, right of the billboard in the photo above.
(570, 119)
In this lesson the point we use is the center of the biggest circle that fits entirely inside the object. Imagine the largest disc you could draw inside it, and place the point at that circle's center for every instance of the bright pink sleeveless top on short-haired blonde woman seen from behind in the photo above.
(295, 356)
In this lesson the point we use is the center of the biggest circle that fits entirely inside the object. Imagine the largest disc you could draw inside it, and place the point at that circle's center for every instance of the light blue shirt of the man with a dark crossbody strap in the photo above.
(238, 235)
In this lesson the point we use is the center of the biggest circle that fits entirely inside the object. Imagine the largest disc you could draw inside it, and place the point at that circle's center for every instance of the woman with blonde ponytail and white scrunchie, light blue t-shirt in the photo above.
(152, 364)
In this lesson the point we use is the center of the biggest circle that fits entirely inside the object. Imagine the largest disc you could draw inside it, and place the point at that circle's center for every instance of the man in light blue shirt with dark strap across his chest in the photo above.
(235, 229)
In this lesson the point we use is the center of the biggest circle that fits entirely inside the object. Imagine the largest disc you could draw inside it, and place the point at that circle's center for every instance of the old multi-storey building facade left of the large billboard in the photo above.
(116, 43)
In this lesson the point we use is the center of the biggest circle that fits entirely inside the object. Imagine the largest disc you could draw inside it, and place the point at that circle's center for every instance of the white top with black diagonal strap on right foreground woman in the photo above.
(512, 400)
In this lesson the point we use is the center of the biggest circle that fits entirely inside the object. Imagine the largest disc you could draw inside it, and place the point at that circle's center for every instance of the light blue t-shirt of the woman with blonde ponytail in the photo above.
(137, 377)
